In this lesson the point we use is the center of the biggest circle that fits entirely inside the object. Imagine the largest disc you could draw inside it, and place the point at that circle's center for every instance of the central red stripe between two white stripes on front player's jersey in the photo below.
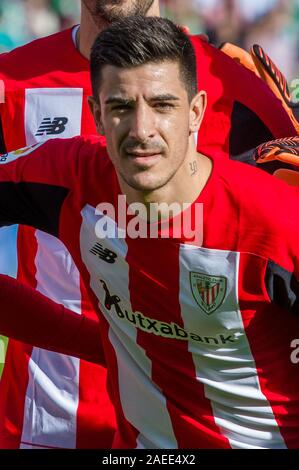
(156, 295)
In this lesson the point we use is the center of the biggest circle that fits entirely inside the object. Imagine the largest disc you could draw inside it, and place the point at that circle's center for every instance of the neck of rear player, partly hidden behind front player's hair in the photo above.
(89, 29)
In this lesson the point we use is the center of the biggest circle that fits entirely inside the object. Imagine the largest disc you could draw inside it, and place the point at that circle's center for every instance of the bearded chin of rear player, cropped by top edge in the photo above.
(113, 10)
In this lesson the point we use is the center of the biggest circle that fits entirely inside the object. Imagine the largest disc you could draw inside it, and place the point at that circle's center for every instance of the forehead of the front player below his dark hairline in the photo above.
(148, 79)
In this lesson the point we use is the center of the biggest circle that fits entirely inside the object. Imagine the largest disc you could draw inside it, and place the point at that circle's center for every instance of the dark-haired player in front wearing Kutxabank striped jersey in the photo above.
(196, 335)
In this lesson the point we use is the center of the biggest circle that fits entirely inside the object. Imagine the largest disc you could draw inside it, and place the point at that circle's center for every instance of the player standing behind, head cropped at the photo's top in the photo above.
(47, 400)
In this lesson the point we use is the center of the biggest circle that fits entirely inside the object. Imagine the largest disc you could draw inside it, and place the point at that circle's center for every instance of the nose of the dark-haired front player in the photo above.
(142, 126)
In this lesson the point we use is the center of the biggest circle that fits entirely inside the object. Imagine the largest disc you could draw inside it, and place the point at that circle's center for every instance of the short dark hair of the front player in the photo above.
(138, 40)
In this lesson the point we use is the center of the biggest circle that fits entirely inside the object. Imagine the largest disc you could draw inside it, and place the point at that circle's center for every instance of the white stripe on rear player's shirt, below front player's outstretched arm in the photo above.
(52, 394)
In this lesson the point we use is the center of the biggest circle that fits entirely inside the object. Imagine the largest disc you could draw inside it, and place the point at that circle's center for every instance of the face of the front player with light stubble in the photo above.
(147, 119)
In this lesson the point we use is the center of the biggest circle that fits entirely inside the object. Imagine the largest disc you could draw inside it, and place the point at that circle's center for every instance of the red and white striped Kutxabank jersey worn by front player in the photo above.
(197, 338)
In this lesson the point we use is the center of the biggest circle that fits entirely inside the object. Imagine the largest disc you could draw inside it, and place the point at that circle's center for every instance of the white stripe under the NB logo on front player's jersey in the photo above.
(143, 404)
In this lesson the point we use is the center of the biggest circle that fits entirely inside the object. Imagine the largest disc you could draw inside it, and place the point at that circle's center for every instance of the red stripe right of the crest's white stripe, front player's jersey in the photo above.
(270, 336)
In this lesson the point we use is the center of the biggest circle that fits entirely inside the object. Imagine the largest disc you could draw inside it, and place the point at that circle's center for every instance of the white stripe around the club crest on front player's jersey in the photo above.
(227, 370)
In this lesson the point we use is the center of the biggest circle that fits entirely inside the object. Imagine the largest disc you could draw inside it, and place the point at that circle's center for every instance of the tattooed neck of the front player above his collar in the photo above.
(183, 189)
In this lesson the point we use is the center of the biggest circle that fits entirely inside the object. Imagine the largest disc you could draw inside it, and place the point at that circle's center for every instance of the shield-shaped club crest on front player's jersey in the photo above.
(208, 291)
